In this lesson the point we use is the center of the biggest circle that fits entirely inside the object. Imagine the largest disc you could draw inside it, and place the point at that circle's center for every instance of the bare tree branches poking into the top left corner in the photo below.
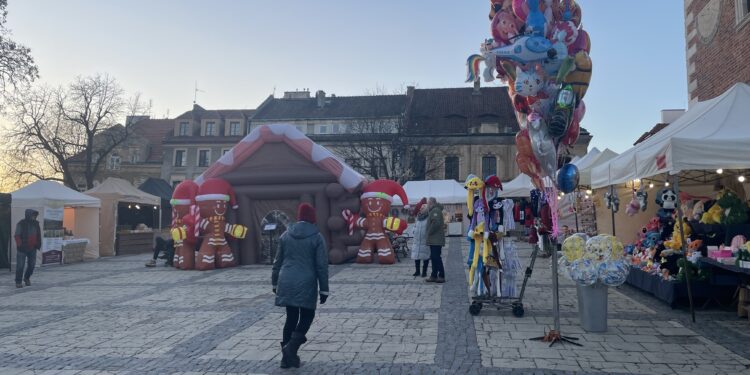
(17, 67)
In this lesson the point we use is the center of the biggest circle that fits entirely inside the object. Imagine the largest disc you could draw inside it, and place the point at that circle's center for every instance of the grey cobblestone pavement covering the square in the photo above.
(114, 316)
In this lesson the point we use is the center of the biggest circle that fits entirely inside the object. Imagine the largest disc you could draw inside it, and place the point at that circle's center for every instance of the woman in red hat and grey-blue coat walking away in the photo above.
(300, 267)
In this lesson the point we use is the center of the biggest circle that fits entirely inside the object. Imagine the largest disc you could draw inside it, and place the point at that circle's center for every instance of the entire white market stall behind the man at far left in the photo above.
(69, 221)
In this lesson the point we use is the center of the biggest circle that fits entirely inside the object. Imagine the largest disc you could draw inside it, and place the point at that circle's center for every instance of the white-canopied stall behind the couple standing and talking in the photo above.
(449, 193)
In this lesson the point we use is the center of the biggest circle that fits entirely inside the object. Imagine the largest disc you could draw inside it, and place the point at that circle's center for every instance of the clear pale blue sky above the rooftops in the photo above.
(239, 51)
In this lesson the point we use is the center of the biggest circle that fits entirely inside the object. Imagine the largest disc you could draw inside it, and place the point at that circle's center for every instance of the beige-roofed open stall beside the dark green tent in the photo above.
(128, 217)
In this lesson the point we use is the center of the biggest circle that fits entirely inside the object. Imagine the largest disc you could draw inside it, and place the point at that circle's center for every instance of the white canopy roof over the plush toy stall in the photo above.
(712, 134)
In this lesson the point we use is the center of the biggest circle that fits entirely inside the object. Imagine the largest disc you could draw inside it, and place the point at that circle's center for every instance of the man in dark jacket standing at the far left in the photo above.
(28, 238)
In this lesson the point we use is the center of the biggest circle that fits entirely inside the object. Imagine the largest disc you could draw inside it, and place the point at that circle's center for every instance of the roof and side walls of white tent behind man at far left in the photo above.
(81, 211)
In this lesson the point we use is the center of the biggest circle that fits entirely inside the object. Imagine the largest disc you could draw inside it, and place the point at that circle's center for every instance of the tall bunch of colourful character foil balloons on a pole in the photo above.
(540, 50)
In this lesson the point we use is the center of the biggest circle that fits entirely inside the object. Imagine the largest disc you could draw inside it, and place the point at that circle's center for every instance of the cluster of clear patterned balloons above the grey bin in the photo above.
(586, 260)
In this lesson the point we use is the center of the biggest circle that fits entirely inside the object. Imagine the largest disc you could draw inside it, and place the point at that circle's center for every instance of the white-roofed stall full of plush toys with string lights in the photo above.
(694, 172)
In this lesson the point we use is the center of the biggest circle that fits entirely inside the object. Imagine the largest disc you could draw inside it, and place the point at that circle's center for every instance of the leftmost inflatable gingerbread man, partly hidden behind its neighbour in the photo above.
(183, 224)
